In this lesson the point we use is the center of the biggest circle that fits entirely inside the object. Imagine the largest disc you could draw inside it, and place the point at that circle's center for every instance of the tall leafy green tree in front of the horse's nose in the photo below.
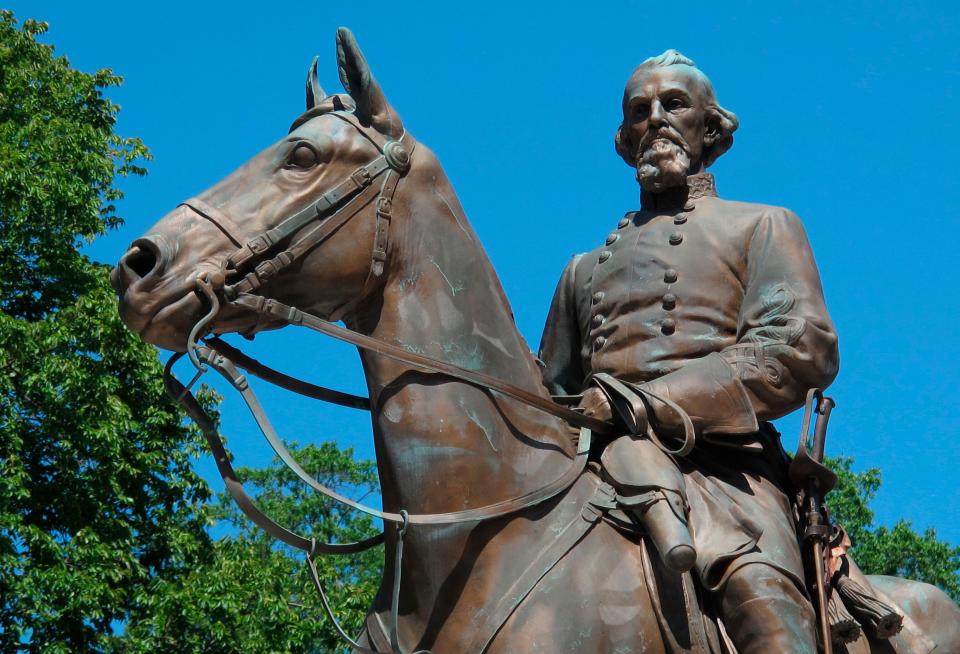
(97, 492)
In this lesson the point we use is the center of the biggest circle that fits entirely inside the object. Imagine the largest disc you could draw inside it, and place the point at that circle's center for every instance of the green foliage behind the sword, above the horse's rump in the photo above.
(898, 551)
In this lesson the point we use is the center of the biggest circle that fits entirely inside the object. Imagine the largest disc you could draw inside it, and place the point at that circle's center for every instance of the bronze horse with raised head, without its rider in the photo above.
(503, 542)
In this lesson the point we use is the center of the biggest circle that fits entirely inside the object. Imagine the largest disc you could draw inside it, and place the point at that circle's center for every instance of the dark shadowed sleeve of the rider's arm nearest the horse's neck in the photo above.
(561, 342)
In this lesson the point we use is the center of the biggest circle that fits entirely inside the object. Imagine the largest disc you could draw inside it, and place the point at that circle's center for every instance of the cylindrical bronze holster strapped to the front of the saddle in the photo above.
(650, 488)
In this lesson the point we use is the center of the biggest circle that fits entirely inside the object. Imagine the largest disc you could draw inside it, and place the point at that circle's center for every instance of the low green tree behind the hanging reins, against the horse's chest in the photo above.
(256, 596)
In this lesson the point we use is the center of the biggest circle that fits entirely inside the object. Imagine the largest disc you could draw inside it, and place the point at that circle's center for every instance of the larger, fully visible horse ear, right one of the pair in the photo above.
(372, 106)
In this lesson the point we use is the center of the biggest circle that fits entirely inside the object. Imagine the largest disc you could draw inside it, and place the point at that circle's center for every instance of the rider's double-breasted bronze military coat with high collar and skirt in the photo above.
(718, 306)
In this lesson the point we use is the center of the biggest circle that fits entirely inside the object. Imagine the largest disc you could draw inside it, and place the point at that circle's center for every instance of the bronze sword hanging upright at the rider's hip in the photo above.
(815, 480)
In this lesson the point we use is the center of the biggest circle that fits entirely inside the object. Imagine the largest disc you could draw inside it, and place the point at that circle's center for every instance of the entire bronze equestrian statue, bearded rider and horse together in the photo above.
(505, 535)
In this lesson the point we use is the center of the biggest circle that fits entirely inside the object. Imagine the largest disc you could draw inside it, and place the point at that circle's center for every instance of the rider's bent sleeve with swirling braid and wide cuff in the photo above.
(786, 343)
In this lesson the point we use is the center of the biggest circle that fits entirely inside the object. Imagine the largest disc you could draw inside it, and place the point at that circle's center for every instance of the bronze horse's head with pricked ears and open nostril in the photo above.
(334, 160)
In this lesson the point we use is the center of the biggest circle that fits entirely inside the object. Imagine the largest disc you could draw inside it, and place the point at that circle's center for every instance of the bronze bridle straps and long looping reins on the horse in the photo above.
(262, 258)
